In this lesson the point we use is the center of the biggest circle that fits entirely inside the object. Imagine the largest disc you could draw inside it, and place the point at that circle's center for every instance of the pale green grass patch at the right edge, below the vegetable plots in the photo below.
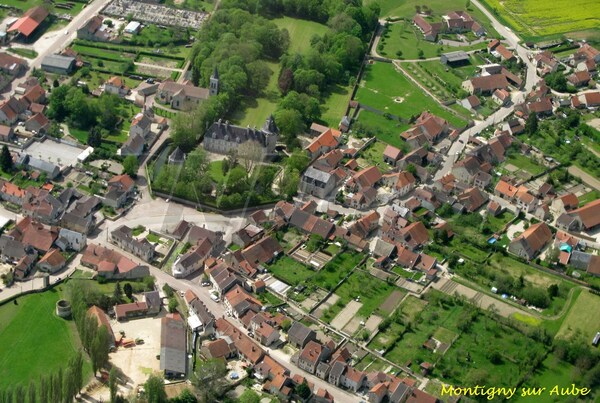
(583, 317)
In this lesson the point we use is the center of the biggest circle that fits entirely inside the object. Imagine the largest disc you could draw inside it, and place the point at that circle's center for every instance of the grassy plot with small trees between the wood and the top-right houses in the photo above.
(405, 38)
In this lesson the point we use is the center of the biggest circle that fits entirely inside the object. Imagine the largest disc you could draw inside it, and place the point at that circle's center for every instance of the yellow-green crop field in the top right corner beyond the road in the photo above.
(533, 18)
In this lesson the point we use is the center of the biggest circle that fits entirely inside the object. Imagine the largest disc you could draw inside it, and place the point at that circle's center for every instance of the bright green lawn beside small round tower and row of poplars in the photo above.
(35, 341)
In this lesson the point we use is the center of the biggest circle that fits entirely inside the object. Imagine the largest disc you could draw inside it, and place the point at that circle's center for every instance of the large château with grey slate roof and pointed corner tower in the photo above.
(222, 137)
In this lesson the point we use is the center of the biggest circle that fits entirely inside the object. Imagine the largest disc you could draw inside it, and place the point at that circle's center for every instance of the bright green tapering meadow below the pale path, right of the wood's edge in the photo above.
(390, 91)
